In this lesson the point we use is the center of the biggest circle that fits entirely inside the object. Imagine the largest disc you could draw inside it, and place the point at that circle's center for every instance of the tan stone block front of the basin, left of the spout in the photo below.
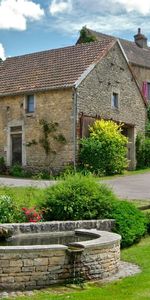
(32, 268)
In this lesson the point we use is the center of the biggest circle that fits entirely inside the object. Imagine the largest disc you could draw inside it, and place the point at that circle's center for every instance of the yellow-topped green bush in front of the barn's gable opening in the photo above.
(104, 152)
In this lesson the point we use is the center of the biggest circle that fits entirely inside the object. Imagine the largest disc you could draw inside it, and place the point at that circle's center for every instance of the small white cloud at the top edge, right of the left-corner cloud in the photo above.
(60, 6)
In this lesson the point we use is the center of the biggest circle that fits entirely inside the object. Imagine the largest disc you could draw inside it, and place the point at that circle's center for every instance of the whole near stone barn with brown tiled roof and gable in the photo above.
(70, 87)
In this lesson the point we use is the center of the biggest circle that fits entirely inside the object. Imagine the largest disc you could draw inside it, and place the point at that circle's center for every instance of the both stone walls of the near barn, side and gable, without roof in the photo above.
(92, 97)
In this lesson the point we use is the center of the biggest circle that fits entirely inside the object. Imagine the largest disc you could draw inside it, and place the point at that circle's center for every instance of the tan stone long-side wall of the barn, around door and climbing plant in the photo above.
(55, 106)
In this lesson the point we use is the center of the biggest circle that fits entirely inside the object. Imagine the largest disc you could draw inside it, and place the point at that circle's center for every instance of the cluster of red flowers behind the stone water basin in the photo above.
(31, 215)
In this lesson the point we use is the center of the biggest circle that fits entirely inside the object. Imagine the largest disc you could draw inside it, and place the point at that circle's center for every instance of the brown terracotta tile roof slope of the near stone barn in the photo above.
(59, 68)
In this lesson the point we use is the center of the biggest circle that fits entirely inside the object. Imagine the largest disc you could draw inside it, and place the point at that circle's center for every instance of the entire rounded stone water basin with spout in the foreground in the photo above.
(35, 267)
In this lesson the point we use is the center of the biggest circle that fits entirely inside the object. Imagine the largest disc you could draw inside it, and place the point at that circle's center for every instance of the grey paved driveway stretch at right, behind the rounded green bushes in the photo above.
(131, 187)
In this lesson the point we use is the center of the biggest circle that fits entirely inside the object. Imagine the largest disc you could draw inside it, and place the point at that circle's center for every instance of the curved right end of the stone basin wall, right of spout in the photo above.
(100, 258)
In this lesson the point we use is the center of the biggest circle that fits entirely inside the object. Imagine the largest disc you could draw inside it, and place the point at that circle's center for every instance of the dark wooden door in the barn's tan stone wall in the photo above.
(16, 149)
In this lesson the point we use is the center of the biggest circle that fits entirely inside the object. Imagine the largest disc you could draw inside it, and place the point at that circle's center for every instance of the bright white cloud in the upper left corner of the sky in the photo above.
(14, 14)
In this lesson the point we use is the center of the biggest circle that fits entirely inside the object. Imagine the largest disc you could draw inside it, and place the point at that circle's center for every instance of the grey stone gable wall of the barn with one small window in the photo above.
(110, 75)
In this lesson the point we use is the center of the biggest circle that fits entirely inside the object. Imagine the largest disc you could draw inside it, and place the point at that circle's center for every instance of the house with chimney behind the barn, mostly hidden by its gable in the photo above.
(137, 53)
